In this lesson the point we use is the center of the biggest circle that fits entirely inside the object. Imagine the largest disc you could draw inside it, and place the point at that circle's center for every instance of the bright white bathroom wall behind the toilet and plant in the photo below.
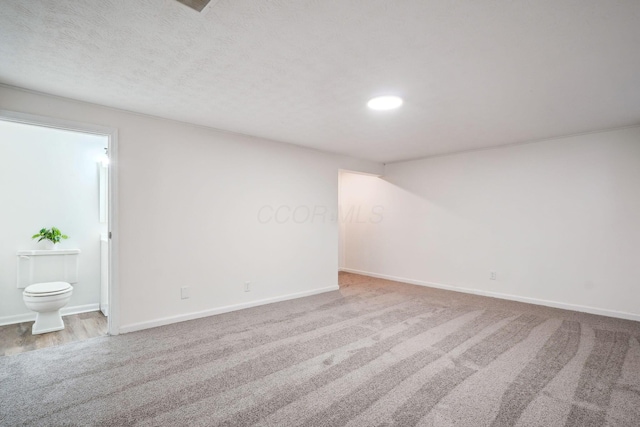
(48, 178)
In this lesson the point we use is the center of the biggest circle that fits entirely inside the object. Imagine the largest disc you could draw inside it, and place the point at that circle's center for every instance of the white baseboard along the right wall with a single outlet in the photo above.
(554, 304)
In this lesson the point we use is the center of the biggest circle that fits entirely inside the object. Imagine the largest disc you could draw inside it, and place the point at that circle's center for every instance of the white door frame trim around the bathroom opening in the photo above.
(112, 225)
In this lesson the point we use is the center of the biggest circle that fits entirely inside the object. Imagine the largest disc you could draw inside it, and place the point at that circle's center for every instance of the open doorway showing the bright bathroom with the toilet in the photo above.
(56, 174)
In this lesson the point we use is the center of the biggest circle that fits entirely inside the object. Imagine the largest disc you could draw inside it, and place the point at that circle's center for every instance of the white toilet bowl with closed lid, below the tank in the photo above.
(46, 299)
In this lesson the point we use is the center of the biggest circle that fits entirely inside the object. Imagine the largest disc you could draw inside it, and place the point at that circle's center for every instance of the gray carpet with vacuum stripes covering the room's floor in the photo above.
(375, 353)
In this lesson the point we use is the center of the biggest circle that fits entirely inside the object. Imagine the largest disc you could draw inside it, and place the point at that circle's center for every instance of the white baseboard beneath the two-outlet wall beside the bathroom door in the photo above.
(226, 309)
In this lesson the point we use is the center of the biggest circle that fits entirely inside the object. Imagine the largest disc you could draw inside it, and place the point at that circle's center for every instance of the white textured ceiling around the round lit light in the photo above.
(473, 73)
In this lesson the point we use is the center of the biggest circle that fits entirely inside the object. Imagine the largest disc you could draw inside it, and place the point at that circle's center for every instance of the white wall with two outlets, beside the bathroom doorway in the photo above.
(189, 199)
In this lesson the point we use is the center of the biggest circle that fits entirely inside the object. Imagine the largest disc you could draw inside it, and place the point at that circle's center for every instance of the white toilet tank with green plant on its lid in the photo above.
(36, 266)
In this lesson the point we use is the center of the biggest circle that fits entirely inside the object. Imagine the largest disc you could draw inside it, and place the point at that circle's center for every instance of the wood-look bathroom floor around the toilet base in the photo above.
(17, 338)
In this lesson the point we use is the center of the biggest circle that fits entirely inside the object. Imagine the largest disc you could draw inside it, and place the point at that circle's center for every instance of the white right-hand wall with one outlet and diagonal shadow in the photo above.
(557, 220)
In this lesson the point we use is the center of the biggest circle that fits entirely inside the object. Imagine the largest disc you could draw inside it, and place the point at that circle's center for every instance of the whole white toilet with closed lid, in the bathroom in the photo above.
(47, 276)
